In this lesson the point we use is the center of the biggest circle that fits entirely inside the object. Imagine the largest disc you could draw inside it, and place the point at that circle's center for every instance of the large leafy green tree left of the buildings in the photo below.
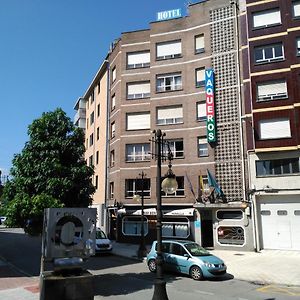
(50, 164)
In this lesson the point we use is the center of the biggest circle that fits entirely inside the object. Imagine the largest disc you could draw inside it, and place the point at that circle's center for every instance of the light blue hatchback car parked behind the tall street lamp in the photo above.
(187, 257)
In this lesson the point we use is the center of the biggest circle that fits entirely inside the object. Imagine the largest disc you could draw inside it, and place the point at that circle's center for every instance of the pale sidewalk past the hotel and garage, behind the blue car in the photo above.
(266, 267)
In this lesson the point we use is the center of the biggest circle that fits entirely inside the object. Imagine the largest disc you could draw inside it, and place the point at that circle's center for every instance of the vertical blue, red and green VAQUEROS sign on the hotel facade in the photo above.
(210, 105)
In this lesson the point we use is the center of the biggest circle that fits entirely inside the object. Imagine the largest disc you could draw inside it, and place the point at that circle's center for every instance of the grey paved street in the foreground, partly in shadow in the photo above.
(119, 277)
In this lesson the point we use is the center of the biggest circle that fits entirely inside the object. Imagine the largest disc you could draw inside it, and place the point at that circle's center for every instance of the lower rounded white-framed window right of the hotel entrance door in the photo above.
(231, 235)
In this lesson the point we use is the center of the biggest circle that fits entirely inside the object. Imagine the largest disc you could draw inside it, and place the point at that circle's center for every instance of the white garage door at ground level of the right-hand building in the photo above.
(280, 222)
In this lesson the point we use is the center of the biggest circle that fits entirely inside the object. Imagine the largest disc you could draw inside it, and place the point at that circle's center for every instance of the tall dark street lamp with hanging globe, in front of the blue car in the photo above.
(169, 186)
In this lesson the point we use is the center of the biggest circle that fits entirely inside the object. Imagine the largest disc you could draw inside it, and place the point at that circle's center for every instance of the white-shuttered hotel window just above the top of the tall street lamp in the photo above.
(169, 115)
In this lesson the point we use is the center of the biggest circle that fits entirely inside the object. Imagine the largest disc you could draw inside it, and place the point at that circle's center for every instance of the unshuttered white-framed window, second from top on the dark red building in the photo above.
(268, 53)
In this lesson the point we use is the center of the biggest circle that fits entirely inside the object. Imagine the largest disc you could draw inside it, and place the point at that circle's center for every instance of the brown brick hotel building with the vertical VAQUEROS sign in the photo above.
(158, 79)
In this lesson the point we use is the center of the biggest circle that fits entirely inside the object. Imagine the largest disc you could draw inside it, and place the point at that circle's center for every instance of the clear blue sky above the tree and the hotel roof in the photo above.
(50, 51)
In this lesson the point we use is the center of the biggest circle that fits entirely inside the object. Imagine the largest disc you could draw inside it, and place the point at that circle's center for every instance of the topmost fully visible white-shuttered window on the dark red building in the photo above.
(266, 18)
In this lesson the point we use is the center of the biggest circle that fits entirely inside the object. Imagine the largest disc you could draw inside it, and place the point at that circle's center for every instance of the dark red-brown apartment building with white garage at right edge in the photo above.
(271, 57)
